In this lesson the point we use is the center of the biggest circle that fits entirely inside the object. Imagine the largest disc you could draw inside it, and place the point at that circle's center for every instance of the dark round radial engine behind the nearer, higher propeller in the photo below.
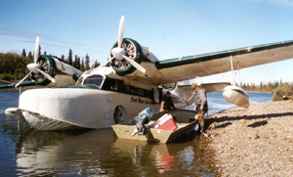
(133, 51)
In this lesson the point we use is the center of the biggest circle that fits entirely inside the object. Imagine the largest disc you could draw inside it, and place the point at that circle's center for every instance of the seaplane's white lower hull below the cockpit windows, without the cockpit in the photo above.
(86, 108)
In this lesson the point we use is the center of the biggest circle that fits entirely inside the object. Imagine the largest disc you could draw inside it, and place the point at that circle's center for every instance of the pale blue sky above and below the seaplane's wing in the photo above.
(169, 28)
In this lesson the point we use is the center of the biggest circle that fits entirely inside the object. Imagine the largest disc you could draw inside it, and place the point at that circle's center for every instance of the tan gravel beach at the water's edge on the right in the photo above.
(253, 142)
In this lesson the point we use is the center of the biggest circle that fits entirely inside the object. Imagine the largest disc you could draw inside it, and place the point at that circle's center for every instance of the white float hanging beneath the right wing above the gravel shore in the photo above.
(236, 95)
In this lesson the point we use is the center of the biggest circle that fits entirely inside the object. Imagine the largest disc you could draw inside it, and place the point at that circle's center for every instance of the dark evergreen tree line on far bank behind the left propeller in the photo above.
(13, 65)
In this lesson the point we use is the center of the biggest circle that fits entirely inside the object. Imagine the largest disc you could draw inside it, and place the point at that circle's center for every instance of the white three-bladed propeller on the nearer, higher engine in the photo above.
(119, 53)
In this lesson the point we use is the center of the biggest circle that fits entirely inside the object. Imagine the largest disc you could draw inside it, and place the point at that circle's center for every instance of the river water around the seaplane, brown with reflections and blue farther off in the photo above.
(98, 152)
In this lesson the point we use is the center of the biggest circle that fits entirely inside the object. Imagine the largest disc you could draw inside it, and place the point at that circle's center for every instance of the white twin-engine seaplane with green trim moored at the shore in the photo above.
(132, 78)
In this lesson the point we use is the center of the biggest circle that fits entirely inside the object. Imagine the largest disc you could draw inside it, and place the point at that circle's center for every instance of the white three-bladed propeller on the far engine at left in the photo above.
(35, 66)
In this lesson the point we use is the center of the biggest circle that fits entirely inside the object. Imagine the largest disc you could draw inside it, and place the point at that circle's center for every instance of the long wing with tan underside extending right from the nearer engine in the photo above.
(188, 67)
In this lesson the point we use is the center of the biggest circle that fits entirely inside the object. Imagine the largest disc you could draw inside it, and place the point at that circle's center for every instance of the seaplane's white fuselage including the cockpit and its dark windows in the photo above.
(94, 106)
